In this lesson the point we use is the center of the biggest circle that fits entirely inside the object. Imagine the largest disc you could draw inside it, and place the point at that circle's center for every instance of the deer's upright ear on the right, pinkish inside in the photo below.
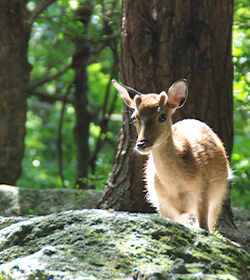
(177, 94)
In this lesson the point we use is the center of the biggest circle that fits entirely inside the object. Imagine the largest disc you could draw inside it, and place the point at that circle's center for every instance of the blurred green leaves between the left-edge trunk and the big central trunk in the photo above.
(50, 53)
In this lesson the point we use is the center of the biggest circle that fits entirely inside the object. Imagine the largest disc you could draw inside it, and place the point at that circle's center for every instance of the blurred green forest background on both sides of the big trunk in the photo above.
(89, 31)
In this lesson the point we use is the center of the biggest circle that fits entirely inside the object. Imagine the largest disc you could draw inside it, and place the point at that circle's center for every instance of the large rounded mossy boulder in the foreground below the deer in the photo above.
(100, 244)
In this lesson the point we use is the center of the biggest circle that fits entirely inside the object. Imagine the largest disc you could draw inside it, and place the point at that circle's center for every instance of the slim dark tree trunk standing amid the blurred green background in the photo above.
(81, 60)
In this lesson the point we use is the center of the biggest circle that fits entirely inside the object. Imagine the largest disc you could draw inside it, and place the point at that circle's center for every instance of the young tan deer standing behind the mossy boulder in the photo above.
(187, 168)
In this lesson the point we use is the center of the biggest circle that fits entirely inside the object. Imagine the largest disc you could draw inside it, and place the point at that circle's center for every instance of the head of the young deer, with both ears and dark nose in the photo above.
(152, 113)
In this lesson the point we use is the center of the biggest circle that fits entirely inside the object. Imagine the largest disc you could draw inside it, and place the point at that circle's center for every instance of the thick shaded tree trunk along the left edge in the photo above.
(14, 77)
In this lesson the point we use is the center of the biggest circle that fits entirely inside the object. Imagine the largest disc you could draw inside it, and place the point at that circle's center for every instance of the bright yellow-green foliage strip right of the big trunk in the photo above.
(241, 152)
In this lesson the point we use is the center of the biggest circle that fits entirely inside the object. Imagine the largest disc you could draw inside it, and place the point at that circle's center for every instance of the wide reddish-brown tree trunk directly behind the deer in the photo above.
(163, 41)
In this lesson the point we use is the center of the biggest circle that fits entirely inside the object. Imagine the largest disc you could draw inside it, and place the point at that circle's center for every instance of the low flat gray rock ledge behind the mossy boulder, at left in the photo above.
(24, 201)
